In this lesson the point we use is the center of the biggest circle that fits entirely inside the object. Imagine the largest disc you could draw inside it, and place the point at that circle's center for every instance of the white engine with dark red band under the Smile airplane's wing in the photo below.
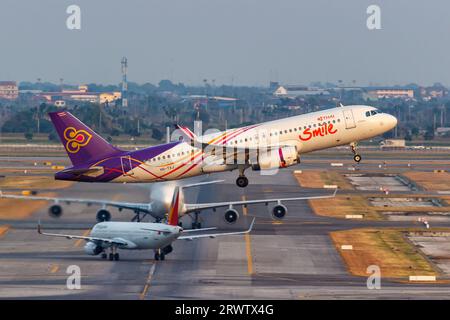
(277, 158)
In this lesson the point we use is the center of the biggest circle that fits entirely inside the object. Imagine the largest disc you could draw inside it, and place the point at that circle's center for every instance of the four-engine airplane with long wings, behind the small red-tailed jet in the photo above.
(158, 208)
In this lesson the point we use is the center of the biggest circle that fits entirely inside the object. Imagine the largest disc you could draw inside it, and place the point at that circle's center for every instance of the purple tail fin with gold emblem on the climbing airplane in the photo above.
(81, 142)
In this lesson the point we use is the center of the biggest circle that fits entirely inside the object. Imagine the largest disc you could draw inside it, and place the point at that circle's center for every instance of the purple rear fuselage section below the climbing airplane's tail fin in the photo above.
(113, 165)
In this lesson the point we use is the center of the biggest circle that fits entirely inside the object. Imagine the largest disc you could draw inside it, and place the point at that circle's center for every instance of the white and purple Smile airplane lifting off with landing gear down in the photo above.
(266, 146)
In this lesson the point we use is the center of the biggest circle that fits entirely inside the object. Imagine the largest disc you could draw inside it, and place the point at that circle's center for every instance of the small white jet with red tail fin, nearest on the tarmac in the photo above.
(140, 236)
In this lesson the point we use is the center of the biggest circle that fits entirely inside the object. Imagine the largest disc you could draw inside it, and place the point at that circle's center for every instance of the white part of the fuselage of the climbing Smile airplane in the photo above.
(308, 132)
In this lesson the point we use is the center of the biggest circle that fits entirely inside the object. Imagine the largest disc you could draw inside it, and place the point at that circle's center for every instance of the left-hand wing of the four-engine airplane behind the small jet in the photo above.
(142, 207)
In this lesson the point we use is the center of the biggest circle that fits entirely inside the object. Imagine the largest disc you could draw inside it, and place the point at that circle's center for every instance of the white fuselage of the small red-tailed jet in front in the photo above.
(137, 235)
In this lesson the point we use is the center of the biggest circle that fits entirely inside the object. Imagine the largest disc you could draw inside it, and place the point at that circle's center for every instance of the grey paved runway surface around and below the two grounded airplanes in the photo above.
(291, 259)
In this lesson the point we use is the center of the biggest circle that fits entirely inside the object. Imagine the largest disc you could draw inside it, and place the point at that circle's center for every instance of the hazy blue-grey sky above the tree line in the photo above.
(245, 41)
